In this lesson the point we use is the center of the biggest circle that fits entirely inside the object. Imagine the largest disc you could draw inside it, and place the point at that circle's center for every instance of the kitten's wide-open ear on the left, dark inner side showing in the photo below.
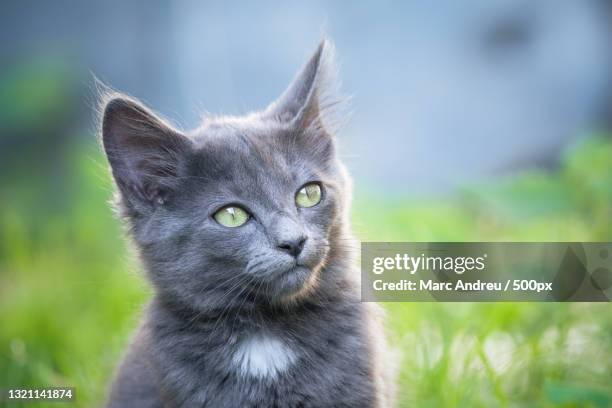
(144, 152)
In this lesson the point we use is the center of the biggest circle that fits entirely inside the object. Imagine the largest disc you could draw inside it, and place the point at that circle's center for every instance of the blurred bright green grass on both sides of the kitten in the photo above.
(70, 292)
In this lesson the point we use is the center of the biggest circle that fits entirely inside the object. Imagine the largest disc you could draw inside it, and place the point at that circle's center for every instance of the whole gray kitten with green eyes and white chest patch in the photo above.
(242, 226)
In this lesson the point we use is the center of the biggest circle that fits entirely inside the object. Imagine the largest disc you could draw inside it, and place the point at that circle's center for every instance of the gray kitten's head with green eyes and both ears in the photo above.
(243, 209)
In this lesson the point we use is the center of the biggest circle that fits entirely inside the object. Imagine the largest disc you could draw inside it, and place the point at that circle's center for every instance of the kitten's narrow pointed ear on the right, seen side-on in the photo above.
(312, 99)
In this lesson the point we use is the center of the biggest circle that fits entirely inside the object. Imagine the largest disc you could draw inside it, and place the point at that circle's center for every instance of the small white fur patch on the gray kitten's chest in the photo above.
(263, 356)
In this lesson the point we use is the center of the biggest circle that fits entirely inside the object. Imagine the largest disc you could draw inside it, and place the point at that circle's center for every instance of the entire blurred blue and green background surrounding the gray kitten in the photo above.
(485, 120)
